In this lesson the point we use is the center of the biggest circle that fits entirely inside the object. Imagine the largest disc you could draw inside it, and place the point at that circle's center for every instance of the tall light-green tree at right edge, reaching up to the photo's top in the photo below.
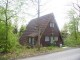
(73, 25)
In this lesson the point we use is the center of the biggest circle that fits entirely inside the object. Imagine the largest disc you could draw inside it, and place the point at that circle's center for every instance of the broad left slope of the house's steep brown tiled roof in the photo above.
(43, 22)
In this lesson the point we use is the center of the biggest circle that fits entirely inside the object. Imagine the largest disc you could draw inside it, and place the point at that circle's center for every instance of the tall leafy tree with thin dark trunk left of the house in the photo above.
(6, 36)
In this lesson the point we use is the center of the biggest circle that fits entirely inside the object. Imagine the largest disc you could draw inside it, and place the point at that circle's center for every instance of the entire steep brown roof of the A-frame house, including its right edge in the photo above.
(43, 23)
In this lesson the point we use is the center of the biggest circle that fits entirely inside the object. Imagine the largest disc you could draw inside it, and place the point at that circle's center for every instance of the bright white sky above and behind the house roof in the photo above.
(59, 8)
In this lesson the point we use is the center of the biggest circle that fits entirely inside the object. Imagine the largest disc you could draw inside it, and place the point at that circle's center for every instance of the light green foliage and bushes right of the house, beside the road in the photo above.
(73, 38)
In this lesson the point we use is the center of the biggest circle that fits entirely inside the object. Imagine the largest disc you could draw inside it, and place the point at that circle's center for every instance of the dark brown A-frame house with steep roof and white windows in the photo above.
(49, 30)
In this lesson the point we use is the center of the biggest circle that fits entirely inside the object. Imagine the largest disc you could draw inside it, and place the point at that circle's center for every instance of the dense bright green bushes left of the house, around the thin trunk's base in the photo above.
(12, 42)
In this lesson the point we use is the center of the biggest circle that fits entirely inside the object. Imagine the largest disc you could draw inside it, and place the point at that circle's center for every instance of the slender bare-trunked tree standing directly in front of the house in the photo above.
(38, 28)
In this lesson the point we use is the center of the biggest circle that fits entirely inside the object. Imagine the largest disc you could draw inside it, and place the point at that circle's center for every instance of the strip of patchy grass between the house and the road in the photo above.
(25, 52)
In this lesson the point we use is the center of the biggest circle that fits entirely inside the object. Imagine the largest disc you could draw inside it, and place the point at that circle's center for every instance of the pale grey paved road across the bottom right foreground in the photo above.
(72, 54)
